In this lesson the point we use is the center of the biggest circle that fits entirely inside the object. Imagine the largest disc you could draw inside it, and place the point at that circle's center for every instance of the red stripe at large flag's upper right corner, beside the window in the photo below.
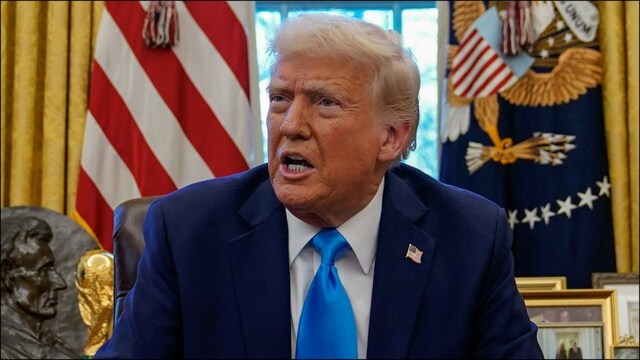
(220, 24)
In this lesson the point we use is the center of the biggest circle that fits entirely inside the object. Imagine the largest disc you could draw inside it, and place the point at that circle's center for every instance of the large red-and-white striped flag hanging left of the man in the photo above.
(160, 119)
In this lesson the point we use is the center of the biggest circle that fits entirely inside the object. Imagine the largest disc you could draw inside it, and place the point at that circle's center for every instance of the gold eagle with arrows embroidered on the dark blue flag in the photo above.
(575, 68)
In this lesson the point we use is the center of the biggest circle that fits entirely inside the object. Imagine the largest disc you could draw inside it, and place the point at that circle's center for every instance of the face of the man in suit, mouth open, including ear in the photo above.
(327, 153)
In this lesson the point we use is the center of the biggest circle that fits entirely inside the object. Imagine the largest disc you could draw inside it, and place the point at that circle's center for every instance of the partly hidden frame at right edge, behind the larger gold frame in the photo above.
(627, 299)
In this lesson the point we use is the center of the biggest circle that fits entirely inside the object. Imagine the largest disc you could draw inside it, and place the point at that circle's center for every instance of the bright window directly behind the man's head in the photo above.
(417, 21)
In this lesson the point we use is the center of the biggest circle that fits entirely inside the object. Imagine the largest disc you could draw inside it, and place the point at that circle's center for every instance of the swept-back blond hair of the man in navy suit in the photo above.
(395, 75)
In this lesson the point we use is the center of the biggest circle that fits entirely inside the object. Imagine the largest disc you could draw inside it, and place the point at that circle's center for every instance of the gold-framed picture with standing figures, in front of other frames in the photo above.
(580, 321)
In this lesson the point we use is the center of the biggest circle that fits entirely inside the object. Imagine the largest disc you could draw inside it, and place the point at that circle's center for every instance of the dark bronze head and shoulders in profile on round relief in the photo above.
(30, 286)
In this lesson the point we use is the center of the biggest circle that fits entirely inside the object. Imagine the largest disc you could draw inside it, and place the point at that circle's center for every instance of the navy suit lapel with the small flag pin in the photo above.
(399, 282)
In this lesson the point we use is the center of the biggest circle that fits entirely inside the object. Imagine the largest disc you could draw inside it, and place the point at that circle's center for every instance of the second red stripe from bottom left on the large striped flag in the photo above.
(113, 116)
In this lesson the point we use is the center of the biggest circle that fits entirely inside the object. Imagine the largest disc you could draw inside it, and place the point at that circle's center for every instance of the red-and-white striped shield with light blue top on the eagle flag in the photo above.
(479, 69)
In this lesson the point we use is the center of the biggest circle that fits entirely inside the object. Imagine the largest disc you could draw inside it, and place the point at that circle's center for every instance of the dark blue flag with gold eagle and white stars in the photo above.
(536, 146)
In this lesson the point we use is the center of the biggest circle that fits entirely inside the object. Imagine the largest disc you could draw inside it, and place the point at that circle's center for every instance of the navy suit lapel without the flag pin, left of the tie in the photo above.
(261, 274)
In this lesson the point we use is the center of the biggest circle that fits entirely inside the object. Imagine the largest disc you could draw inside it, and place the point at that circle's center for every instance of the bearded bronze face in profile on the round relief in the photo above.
(35, 282)
